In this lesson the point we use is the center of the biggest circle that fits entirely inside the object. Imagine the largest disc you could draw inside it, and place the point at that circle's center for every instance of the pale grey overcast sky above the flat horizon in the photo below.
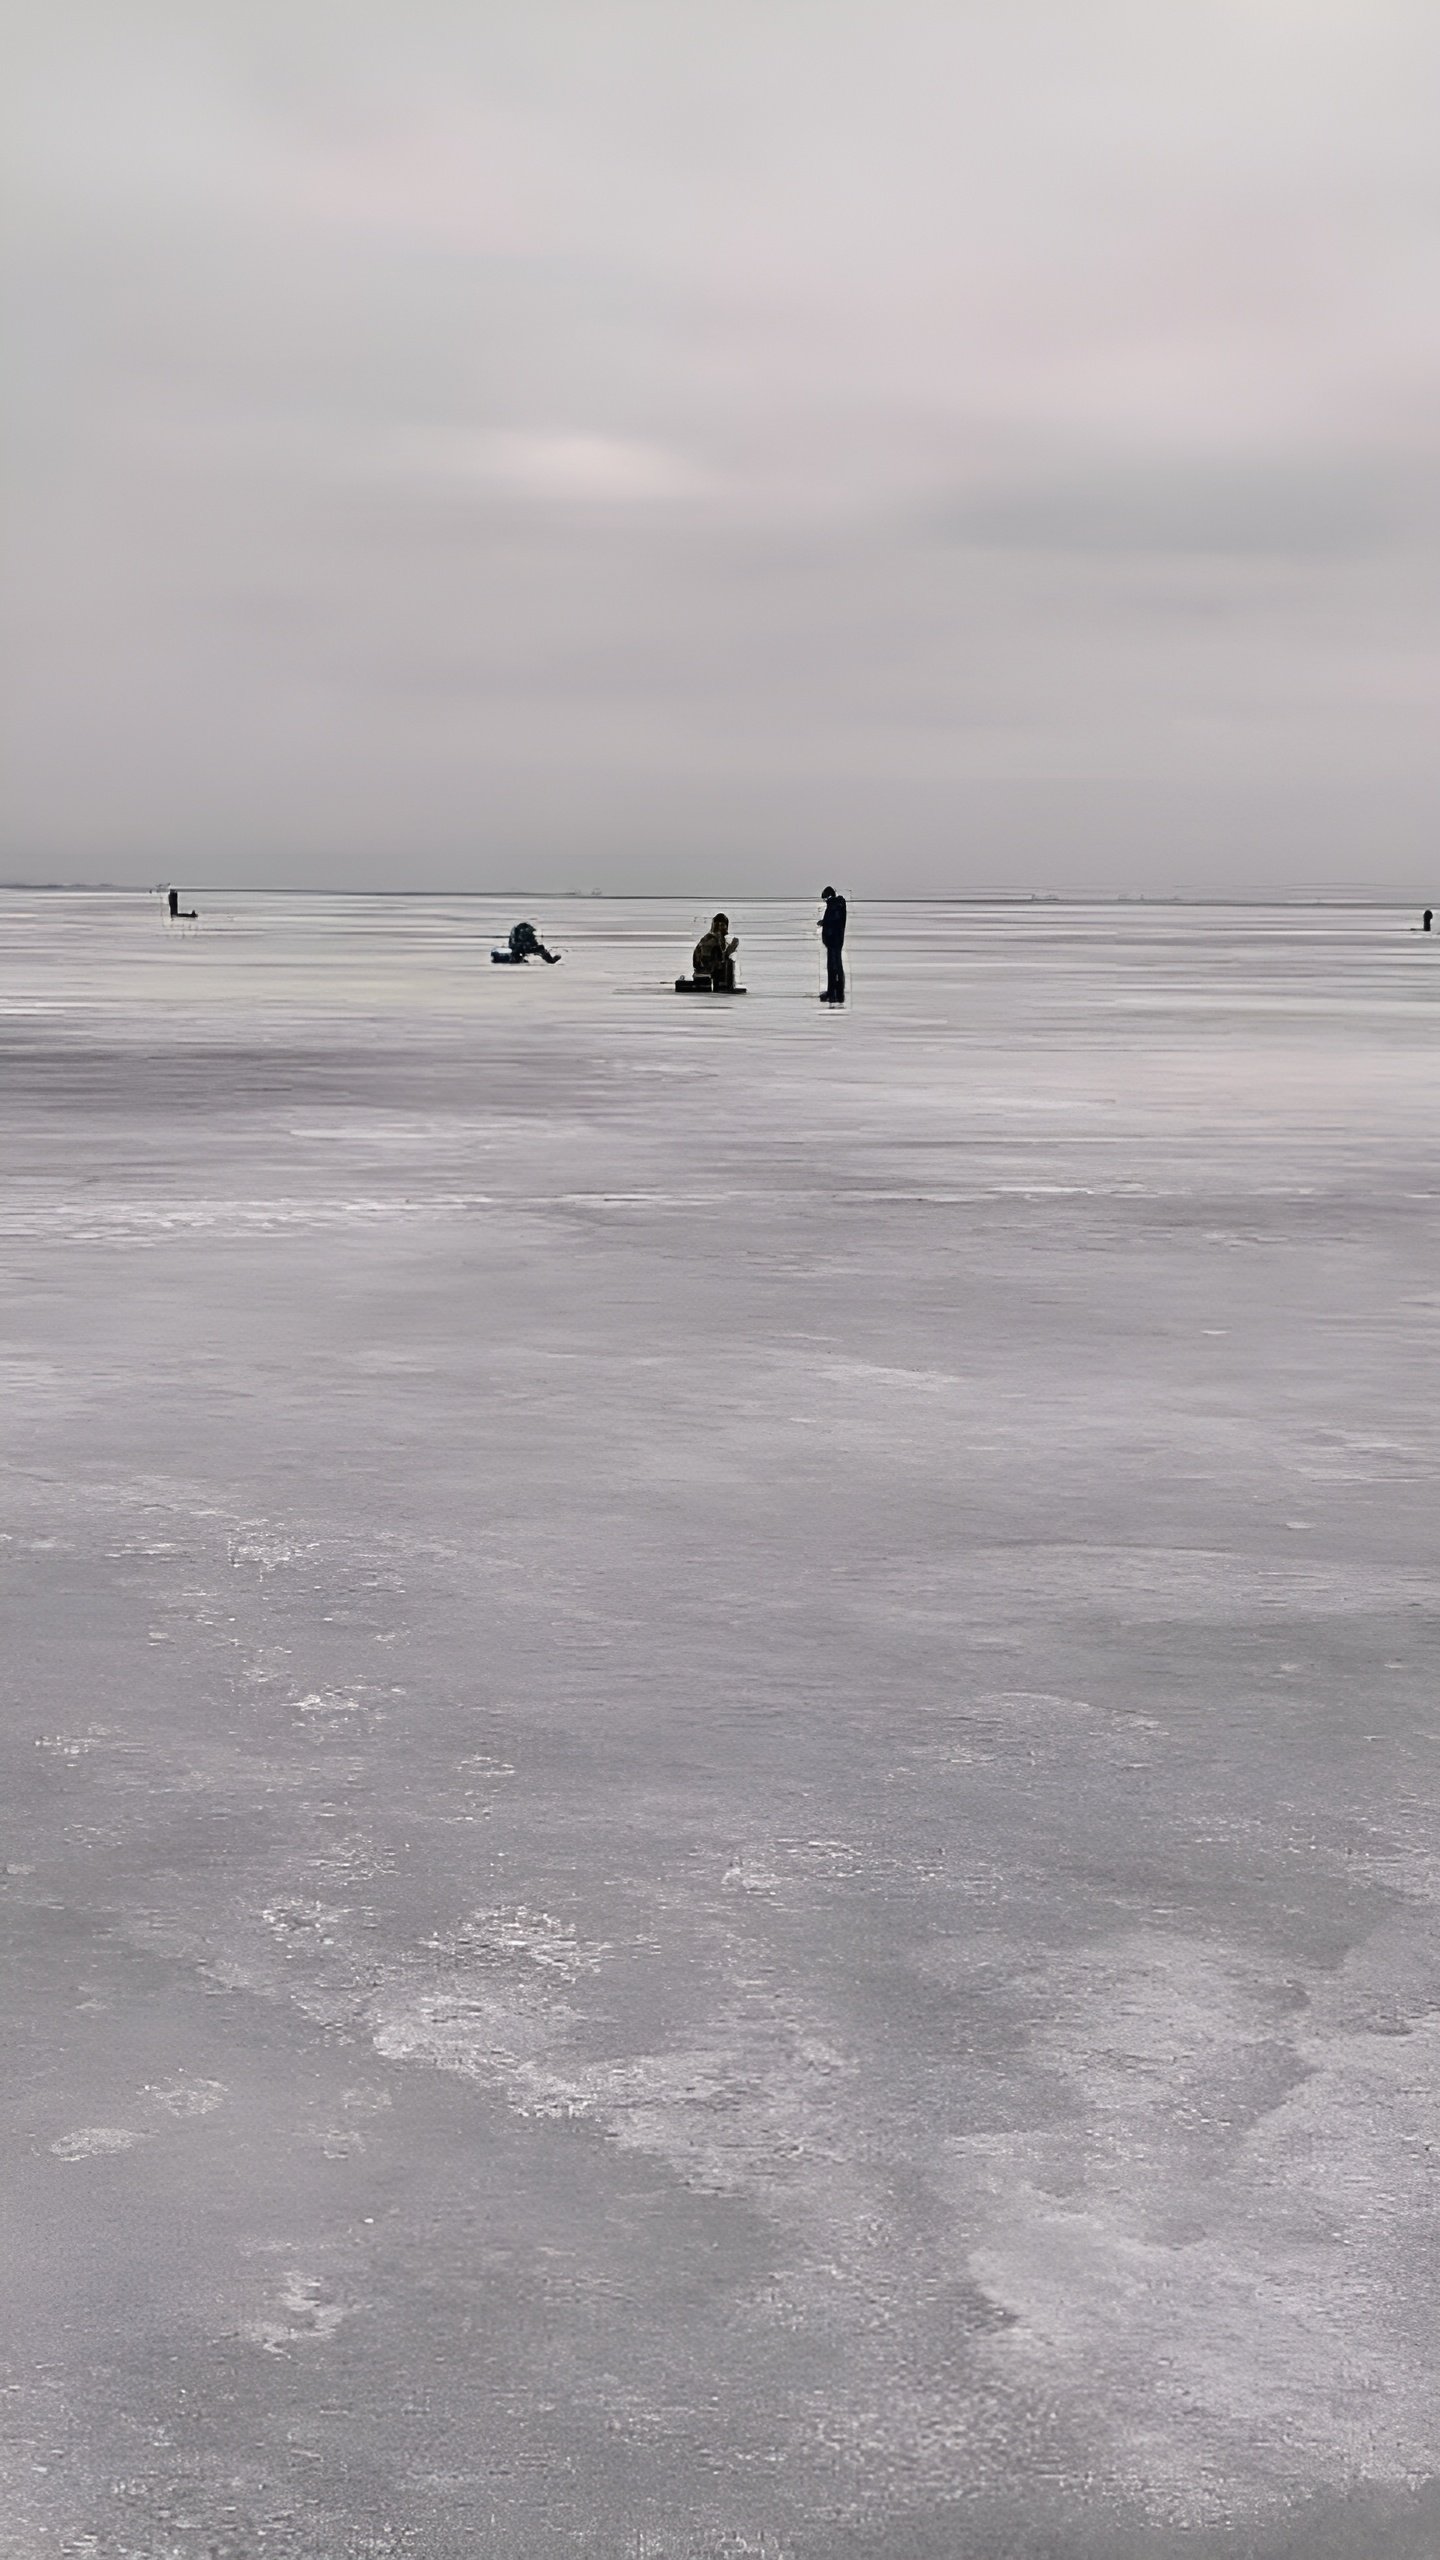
(724, 444)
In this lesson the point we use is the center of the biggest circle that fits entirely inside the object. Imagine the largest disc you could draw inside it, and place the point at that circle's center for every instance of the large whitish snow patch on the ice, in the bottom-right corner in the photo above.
(1200, 2249)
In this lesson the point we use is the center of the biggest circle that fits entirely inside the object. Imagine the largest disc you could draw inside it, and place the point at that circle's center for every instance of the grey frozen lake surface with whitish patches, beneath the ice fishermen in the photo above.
(721, 1734)
